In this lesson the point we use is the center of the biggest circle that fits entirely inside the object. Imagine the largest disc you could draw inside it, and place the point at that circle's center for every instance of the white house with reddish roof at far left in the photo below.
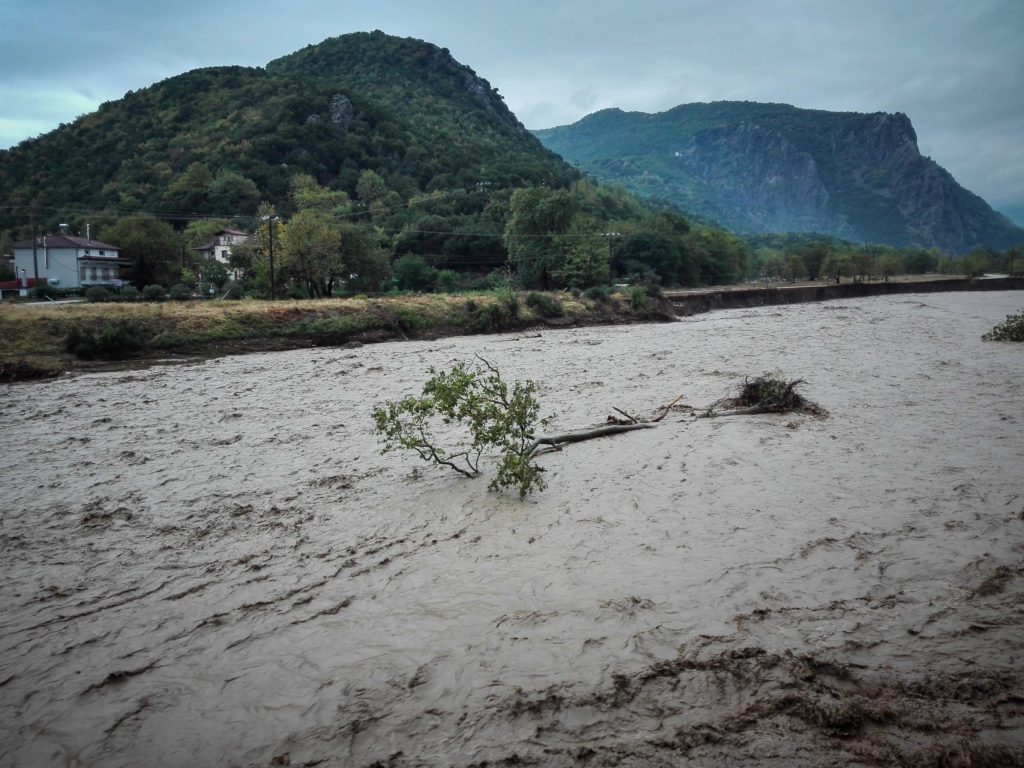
(67, 262)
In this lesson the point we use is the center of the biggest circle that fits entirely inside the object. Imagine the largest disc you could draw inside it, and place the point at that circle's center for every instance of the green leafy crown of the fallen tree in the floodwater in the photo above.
(492, 418)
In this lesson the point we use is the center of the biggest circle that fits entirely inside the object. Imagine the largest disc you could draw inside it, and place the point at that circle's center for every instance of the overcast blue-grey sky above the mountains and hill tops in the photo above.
(955, 67)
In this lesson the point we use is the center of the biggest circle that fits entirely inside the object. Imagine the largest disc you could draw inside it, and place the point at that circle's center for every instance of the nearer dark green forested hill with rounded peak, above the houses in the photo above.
(402, 108)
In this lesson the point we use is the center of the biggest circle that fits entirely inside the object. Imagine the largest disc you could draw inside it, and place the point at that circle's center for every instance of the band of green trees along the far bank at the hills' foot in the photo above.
(324, 242)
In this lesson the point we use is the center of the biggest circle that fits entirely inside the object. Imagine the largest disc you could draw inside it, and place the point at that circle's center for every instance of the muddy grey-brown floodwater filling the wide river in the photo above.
(211, 565)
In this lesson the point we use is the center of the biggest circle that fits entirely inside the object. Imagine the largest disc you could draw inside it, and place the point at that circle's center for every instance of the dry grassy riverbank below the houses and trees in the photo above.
(42, 340)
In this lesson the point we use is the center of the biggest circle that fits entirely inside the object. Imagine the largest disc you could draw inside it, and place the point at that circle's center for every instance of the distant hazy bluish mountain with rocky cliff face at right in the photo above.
(758, 168)
